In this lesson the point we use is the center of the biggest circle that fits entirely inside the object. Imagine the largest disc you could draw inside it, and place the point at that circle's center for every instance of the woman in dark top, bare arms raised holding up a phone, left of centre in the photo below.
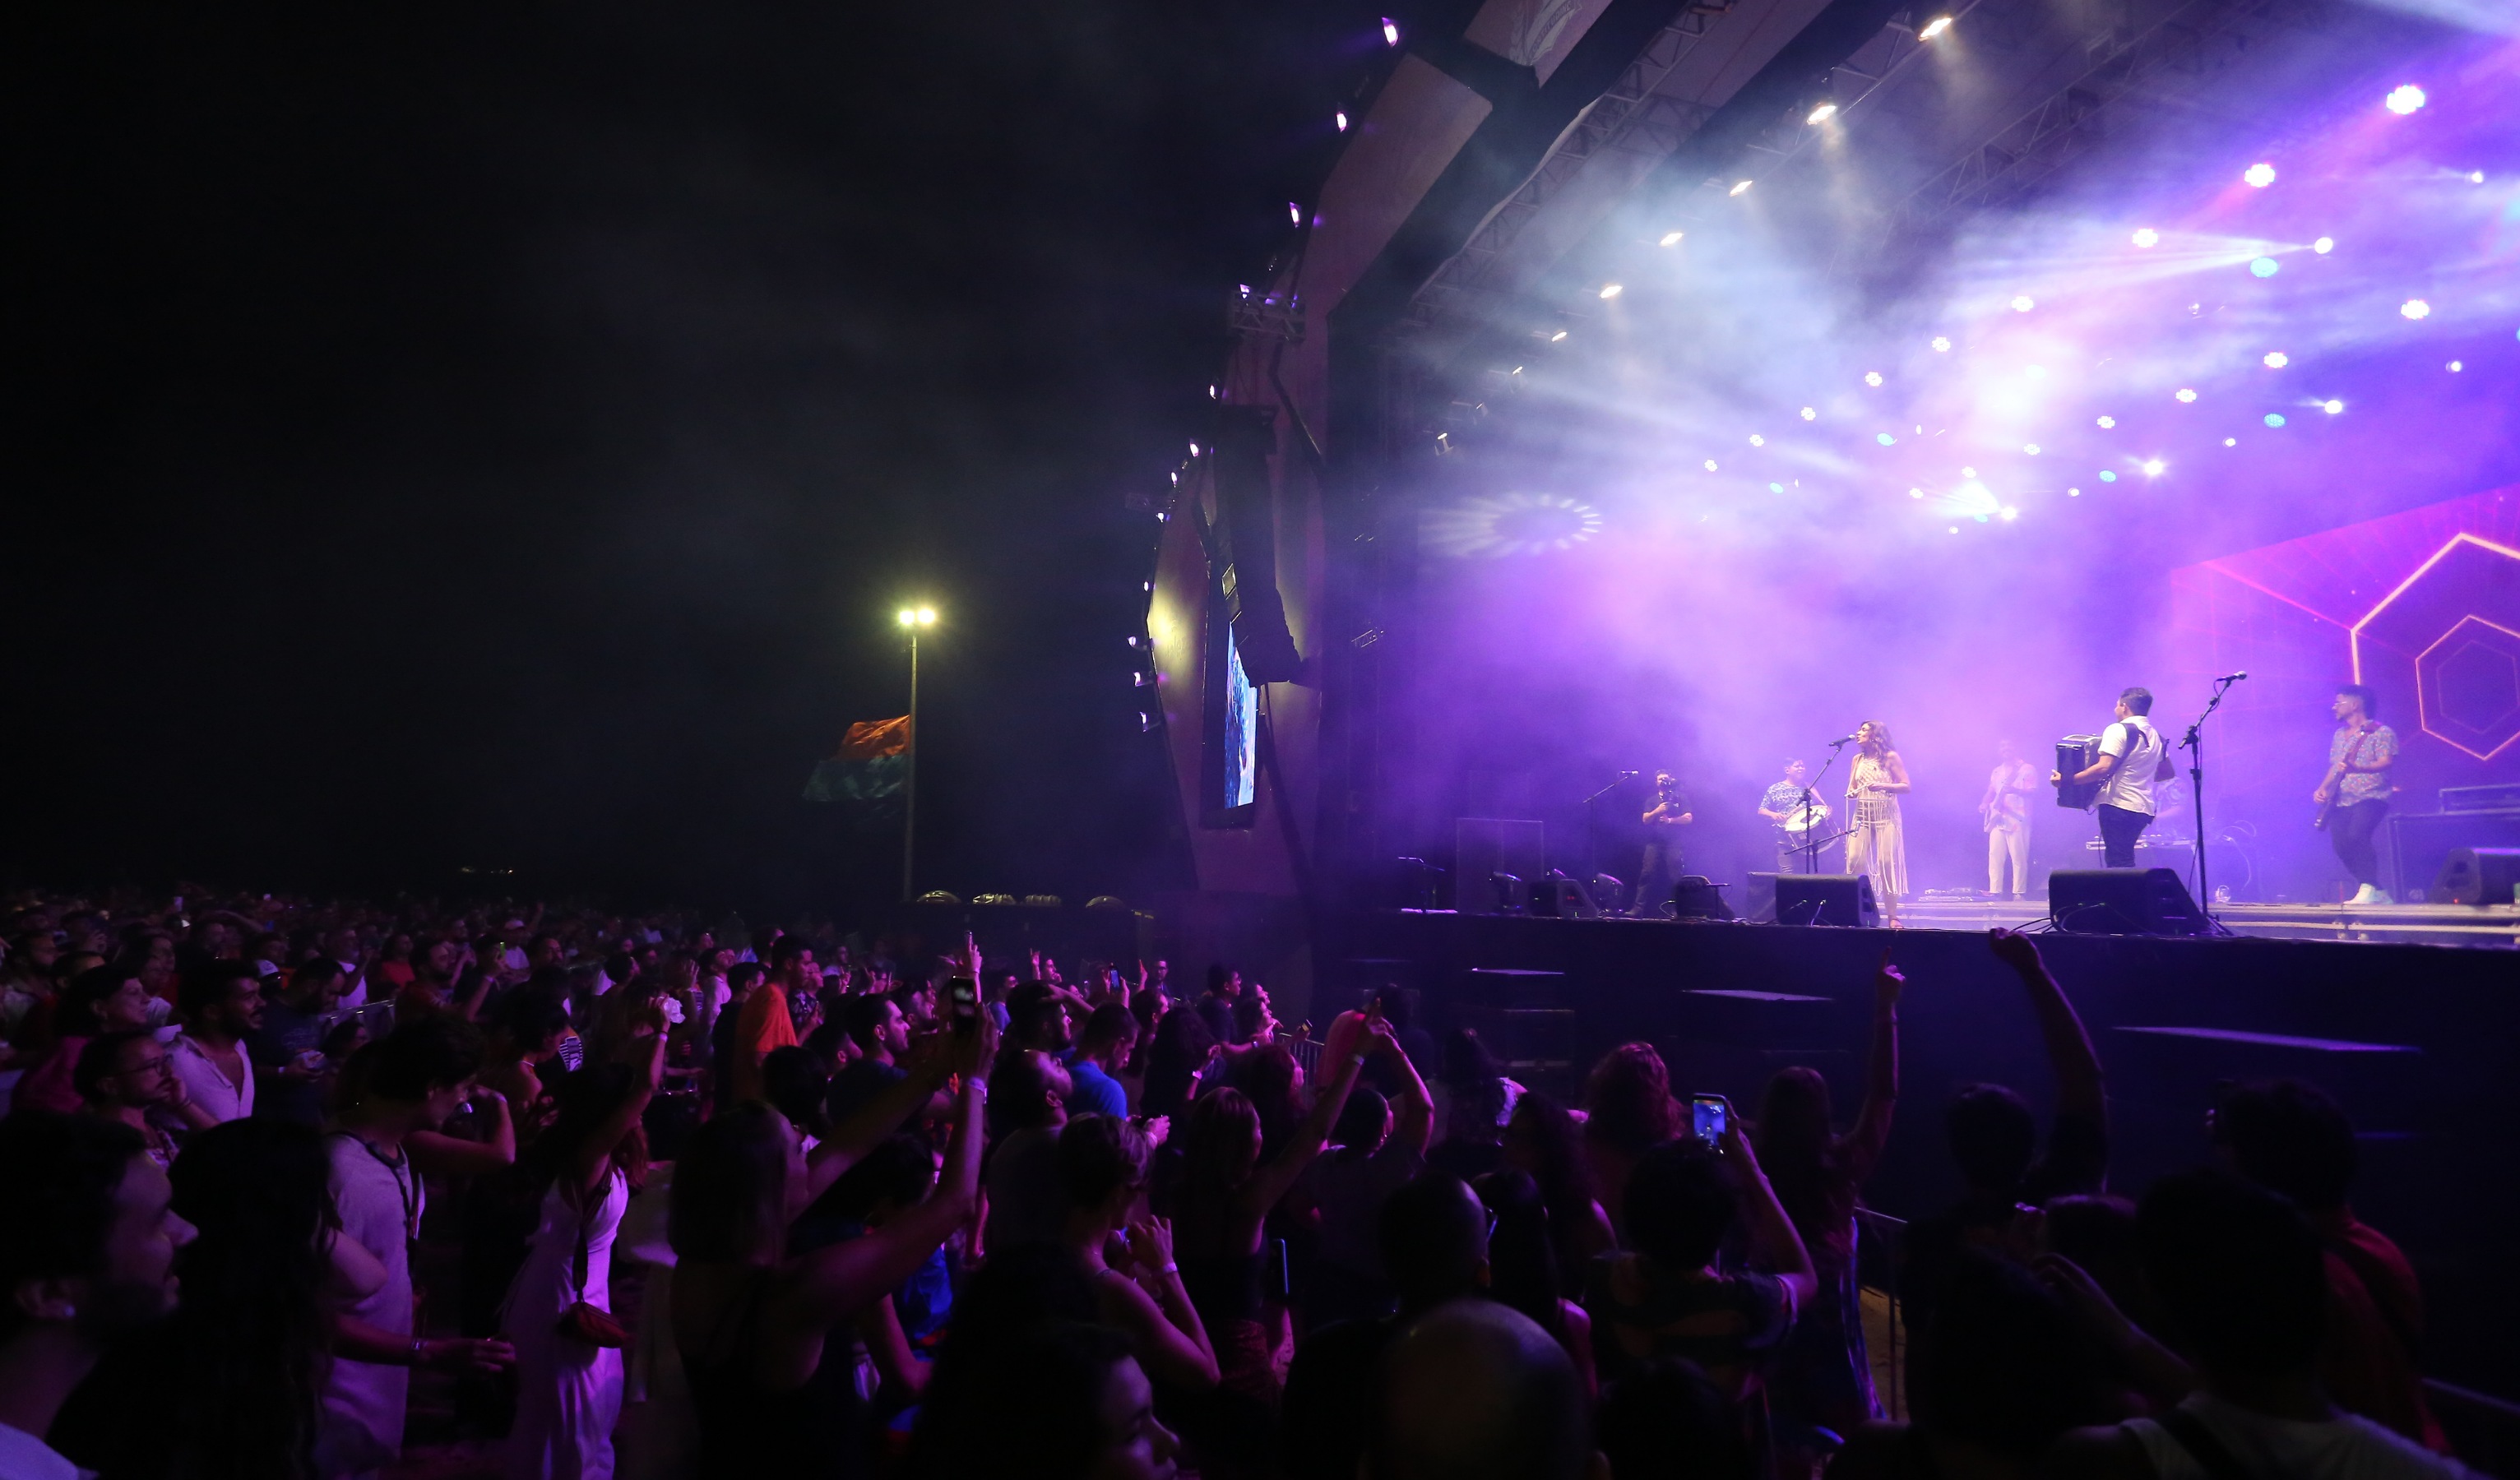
(752, 1317)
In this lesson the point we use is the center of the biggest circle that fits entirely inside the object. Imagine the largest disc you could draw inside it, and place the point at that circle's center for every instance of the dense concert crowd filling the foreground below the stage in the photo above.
(299, 1191)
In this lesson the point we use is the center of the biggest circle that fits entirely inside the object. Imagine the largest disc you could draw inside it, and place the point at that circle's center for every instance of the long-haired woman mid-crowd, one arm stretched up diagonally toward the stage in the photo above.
(1223, 1201)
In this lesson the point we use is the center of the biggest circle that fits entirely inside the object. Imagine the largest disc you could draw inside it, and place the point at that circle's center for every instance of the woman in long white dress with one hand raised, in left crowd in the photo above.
(561, 1305)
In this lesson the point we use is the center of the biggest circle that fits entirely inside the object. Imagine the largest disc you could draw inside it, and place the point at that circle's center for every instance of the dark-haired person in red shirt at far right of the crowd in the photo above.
(2292, 1138)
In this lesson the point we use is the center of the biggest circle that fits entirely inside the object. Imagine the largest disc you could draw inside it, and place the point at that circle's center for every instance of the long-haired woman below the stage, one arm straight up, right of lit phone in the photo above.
(1823, 1378)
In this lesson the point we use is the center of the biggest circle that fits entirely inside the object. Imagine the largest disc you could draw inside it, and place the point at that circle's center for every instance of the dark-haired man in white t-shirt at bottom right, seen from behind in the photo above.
(2244, 1292)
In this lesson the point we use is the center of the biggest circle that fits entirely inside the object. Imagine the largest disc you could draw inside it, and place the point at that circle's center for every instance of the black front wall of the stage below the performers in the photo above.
(2418, 1043)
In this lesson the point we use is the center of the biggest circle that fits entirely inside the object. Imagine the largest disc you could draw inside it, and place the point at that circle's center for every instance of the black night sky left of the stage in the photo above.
(503, 435)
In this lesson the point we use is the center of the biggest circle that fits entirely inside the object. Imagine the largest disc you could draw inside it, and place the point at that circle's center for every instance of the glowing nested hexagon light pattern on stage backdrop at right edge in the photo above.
(2466, 667)
